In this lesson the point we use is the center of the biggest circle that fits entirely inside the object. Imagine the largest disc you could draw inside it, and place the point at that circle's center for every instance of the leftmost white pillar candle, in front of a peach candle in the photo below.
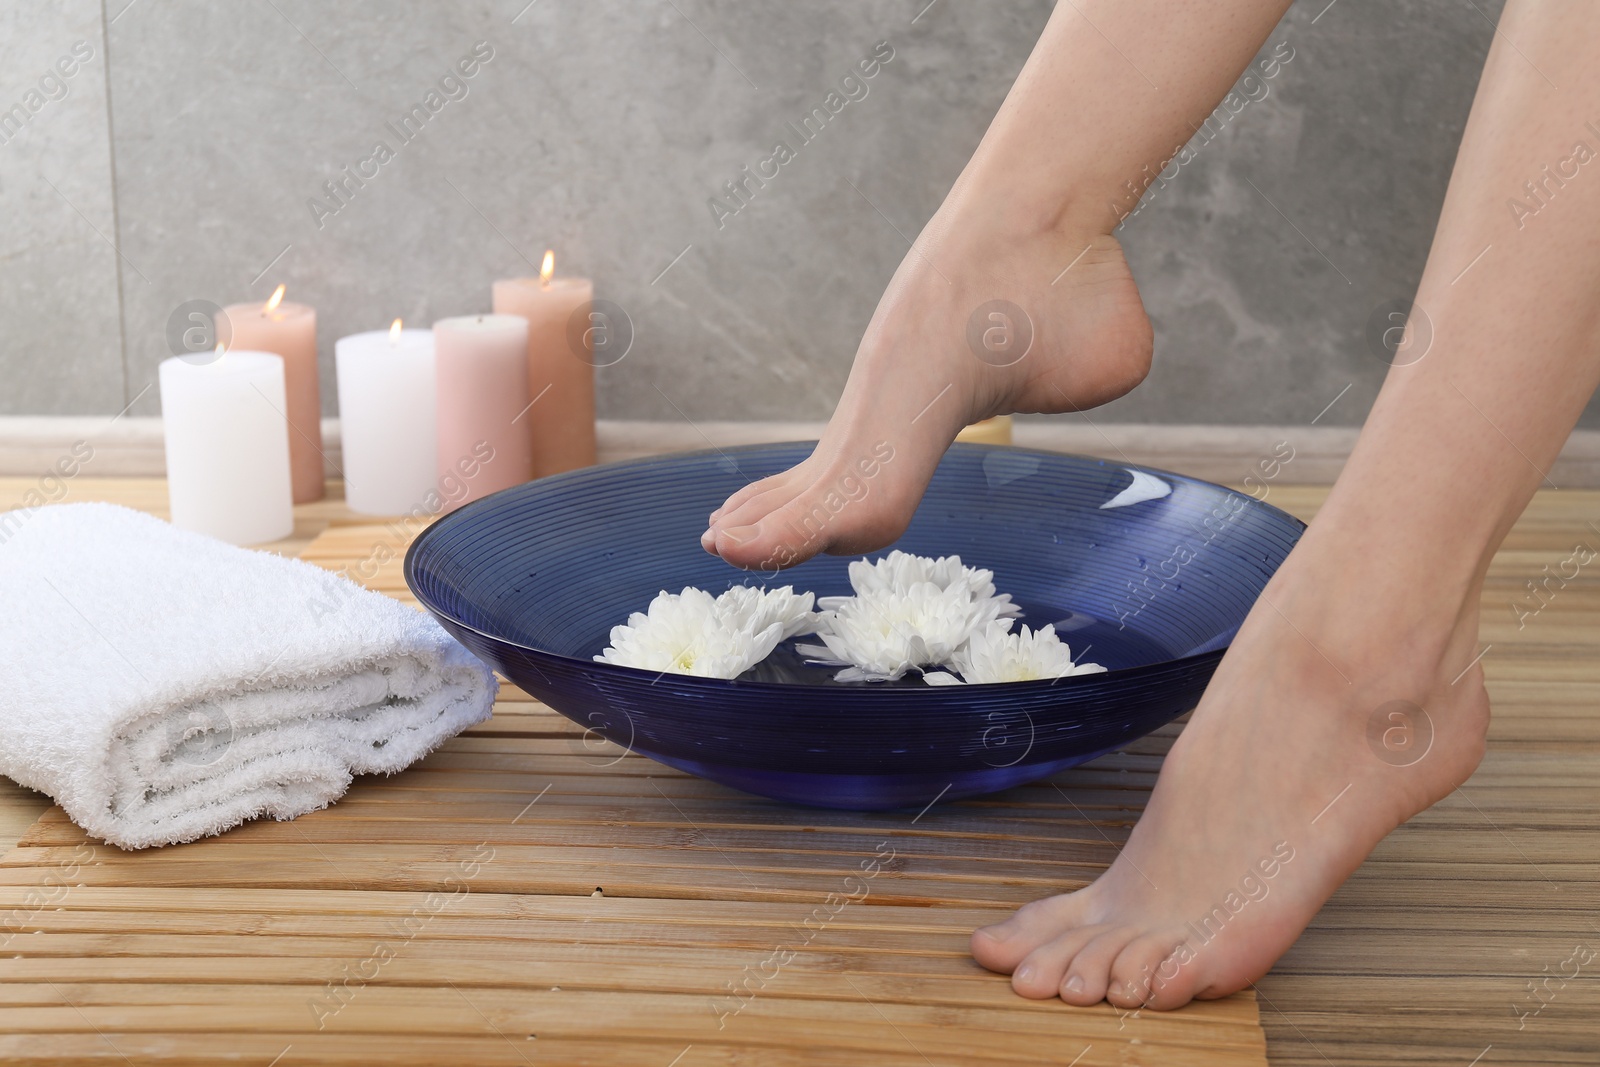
(228, 447)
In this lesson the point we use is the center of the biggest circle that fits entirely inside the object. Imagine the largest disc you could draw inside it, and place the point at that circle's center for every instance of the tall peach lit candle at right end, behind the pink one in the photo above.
(561, 366)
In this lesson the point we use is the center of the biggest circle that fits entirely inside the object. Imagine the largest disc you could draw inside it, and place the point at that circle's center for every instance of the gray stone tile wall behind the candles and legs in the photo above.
(199, 135)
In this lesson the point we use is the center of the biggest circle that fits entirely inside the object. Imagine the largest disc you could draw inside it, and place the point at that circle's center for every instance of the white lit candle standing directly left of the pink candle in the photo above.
(386, 420)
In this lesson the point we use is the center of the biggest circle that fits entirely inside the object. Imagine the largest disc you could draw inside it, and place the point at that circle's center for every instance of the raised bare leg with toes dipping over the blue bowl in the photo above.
(1079, 137)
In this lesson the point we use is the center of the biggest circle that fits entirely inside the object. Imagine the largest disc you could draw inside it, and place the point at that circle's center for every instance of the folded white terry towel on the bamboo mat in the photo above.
(162, 685)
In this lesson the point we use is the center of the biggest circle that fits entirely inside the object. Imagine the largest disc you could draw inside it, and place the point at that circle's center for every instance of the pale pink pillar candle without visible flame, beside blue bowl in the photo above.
(481, 366)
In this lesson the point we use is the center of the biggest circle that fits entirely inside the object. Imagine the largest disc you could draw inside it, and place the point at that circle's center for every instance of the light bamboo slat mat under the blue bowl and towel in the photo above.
(529, 895)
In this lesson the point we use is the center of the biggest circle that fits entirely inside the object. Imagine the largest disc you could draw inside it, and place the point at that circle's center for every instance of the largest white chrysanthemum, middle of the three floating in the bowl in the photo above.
(910, 613)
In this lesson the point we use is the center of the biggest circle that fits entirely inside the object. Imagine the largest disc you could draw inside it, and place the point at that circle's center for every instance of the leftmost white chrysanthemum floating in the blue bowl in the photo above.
(713, 637)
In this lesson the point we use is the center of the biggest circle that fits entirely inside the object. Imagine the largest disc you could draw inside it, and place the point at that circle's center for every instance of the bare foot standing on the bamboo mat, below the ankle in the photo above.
(1289, 773)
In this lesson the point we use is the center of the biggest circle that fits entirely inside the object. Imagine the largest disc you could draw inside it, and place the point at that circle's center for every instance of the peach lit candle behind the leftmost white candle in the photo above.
(289, 330)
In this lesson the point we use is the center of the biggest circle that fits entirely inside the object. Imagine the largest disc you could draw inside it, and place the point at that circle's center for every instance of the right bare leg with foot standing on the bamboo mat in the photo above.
(1380, 601)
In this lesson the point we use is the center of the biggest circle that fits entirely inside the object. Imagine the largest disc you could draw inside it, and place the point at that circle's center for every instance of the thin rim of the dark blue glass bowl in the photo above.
(786, 687)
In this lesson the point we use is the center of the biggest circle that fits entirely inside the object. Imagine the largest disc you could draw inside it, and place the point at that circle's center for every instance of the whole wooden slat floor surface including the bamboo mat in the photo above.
(1457, 943)
